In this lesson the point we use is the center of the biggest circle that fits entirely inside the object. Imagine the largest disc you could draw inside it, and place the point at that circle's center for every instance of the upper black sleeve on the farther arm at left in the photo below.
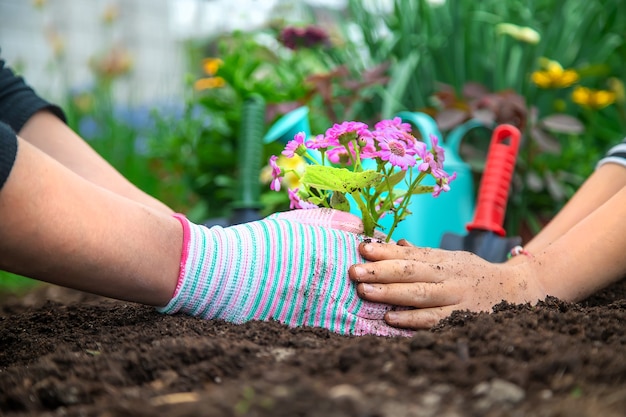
(18, 101)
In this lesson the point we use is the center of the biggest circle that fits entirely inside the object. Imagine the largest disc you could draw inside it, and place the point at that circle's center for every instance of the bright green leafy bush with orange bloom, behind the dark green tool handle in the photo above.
(202, 143)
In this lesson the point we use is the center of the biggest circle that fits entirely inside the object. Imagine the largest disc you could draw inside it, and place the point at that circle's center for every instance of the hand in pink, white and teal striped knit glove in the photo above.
(291, 267)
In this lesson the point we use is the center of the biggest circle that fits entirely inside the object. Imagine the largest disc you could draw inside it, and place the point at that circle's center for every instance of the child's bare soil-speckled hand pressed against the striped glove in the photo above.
(435, 282)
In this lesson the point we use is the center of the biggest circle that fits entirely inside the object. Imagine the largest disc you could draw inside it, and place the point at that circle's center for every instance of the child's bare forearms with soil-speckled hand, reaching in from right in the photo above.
(579, 254)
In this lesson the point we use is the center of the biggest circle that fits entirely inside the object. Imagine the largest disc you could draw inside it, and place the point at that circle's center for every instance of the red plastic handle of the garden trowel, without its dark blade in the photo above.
(496, 180)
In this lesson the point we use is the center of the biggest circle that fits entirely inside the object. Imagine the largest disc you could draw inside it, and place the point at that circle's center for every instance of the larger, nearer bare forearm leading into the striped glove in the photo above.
(58, 227)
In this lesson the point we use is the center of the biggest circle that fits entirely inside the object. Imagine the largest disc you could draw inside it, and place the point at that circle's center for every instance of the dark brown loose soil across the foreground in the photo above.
(80, 355)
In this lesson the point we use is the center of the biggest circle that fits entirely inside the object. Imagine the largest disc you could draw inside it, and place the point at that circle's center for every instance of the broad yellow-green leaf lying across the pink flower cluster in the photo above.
(339, 179)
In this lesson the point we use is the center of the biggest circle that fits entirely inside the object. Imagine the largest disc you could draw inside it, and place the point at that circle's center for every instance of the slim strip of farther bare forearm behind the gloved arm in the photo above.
(46, 132)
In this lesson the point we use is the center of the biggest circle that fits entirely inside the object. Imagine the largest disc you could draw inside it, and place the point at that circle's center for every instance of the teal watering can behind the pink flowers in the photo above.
(431, 216)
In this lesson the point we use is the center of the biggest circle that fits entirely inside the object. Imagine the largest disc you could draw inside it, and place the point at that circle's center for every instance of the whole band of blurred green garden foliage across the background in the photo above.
(452, 59)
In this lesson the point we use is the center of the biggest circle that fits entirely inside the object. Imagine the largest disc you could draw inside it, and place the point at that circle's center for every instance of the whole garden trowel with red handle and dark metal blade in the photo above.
(487, 237)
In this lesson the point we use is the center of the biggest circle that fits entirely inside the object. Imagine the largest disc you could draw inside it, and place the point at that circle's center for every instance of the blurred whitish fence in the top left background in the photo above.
(152, 31)
